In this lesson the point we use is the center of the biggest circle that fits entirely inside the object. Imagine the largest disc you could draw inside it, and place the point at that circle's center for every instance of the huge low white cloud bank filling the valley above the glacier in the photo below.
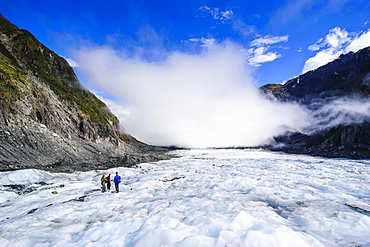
(207, 99)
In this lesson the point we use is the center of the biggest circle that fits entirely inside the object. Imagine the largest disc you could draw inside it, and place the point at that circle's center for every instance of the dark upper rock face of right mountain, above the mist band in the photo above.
(347, 75)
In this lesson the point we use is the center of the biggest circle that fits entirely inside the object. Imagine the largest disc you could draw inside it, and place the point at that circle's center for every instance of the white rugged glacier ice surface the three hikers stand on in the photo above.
(202, 198)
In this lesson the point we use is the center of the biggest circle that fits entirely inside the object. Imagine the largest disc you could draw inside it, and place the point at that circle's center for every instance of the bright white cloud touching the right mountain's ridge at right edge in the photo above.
(338, 41)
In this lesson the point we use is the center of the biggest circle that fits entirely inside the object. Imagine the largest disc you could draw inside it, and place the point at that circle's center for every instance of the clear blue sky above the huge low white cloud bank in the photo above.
(295, 25)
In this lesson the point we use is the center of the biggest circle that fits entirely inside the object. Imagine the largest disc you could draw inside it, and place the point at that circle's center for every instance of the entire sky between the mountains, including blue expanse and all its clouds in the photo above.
(199, 62)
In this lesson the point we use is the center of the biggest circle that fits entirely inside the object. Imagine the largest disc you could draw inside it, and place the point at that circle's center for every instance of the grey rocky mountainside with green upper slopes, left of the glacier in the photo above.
(48, 120)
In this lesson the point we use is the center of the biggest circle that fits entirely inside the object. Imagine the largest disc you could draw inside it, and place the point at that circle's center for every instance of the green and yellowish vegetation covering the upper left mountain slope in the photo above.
(25, 53)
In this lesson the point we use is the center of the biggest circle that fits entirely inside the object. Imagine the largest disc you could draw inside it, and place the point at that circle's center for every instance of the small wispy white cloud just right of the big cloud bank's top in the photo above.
(259, 52)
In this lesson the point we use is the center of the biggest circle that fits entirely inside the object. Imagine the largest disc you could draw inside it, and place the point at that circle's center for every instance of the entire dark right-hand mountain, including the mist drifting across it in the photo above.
(345, 80)
